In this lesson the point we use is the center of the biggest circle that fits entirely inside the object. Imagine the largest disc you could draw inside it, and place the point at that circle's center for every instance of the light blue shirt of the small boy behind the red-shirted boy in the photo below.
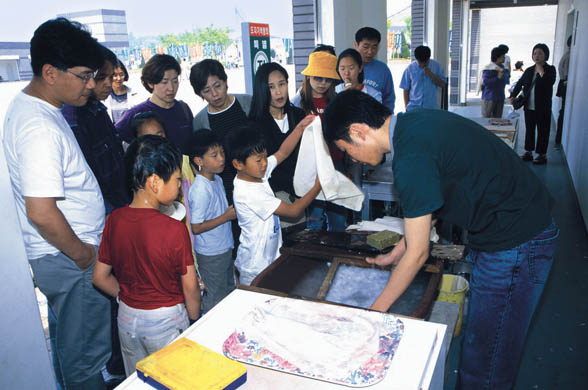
(207, 200)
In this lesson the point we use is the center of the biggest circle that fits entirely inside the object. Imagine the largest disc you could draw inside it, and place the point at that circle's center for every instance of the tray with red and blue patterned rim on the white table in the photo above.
(321, 341)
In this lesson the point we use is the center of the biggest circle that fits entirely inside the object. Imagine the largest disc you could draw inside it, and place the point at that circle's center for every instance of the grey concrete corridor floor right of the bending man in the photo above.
(555, 355)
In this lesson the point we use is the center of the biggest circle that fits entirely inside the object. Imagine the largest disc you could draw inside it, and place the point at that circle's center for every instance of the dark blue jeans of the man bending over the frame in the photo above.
(505, 288)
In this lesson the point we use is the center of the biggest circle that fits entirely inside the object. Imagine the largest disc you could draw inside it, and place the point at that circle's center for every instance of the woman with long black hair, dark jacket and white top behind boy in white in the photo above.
(276, 117)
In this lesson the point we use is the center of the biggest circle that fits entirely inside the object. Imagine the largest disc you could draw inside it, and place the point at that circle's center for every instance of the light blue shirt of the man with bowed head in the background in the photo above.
(422, 90)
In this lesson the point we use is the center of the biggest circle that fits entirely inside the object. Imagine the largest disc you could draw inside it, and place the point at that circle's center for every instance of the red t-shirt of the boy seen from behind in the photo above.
(148, 252)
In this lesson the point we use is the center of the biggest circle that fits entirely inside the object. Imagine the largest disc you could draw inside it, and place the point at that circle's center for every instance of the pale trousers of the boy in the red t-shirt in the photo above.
(143, 332)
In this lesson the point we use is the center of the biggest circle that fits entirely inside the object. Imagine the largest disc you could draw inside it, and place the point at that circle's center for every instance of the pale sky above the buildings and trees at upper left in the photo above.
(19, 20)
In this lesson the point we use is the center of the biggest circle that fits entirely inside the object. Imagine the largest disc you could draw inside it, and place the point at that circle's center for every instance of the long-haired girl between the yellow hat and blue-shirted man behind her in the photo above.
(350, 69)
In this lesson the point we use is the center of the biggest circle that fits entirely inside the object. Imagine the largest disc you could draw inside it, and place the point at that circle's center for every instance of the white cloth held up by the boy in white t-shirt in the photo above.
(314, 157)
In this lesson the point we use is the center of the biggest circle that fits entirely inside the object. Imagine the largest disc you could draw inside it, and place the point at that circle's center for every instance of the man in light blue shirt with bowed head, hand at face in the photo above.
(421, 79)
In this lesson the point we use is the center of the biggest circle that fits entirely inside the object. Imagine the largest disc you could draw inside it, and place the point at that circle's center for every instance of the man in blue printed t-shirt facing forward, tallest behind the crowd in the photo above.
(376, 73)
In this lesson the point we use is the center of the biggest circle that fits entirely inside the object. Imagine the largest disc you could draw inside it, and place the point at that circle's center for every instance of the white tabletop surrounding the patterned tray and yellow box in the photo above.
(419, 362)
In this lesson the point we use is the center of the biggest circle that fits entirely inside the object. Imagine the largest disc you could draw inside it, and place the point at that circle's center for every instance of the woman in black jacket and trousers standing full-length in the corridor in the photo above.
(537, 85)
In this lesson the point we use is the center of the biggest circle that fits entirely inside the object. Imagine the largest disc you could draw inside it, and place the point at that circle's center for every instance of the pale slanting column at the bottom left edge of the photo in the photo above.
(25, 360)
